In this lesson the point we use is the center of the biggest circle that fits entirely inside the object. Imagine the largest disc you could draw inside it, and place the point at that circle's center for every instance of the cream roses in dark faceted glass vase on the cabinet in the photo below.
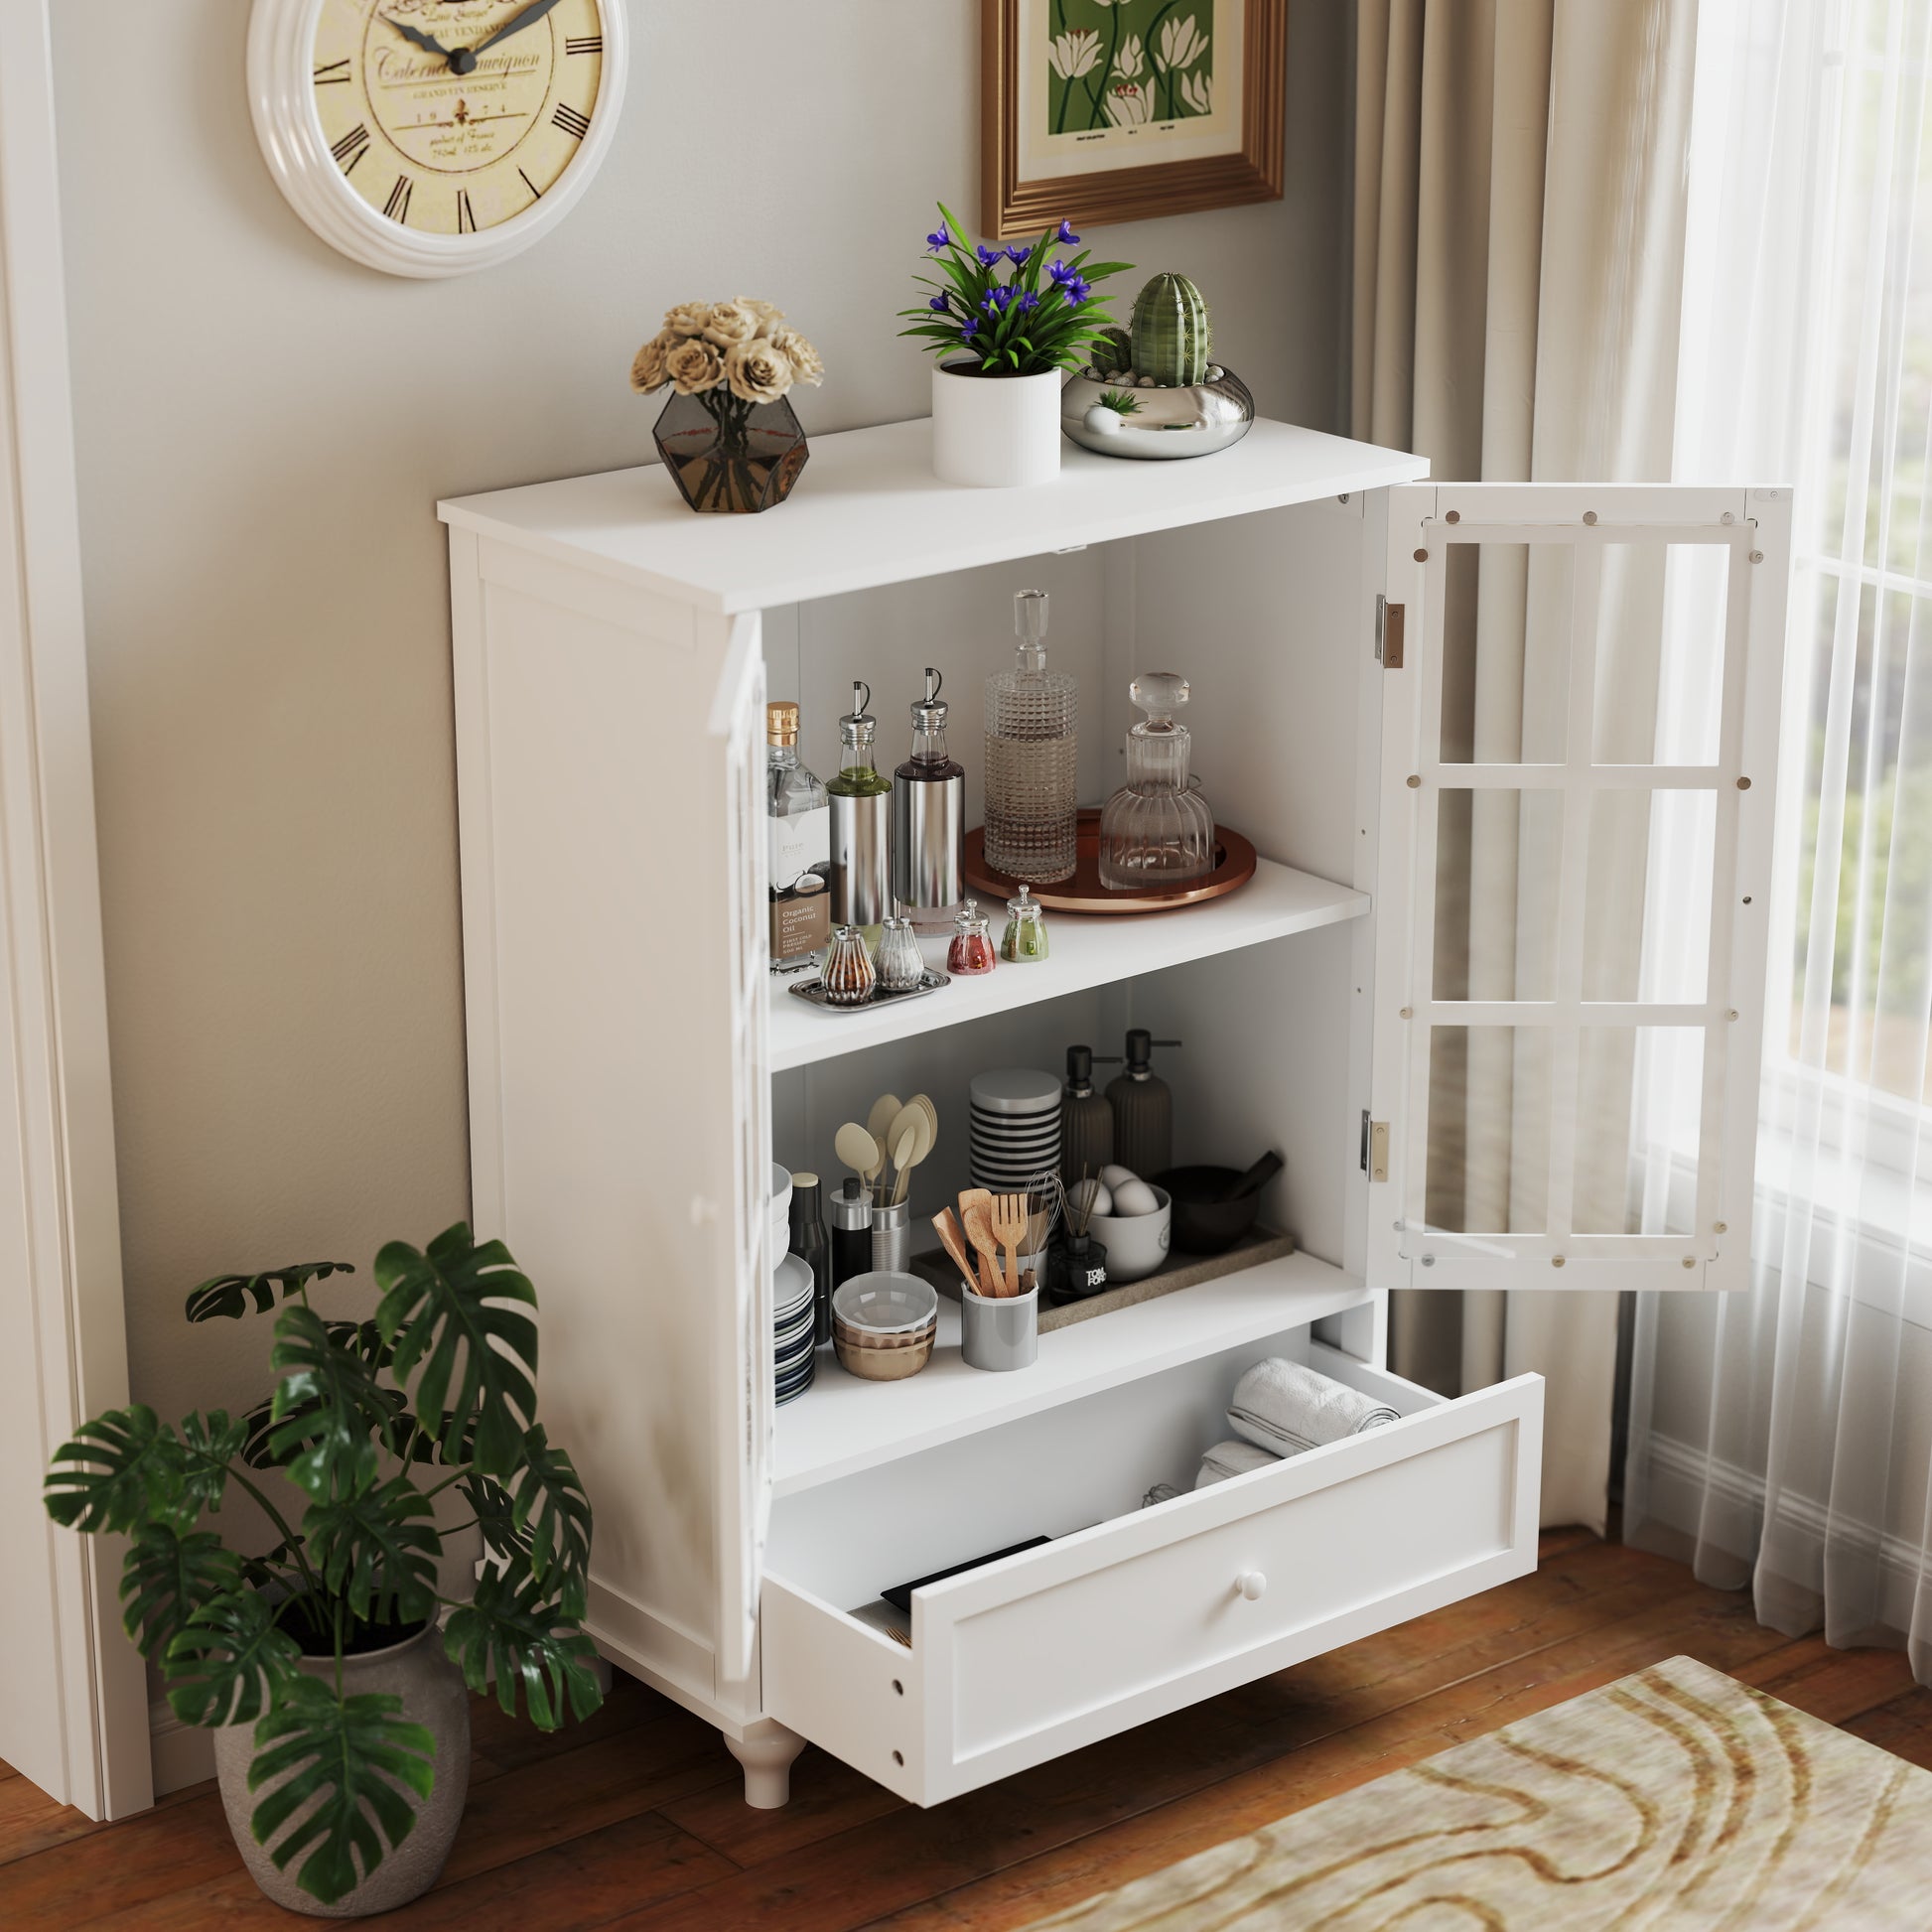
(735, 358)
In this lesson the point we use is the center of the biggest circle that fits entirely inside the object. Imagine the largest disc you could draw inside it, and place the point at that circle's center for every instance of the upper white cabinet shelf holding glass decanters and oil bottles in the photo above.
(1087, 953)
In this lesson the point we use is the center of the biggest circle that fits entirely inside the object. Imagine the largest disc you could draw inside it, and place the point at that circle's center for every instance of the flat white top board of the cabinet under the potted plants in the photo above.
(870, 511)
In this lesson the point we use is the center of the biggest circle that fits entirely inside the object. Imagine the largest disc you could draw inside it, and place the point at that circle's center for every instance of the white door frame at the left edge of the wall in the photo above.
(74, 1713)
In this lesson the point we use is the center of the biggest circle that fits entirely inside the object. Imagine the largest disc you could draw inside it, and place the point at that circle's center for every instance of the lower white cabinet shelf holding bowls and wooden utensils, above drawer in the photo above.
(843, 1425)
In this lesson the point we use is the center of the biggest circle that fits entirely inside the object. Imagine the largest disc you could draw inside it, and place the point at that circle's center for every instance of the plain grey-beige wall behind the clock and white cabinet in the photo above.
(264, 432)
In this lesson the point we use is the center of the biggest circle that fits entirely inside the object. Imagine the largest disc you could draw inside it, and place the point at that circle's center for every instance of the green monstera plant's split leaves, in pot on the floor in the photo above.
(370, 1423)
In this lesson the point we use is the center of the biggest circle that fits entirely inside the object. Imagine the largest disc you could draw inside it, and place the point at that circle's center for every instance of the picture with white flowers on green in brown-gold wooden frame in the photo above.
(1137, 138)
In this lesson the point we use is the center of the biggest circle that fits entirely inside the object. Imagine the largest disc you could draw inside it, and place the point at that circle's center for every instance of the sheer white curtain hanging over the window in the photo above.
(1784, 1438)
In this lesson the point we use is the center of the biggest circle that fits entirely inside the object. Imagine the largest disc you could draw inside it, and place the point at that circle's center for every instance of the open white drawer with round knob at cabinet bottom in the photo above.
(1131, 1612)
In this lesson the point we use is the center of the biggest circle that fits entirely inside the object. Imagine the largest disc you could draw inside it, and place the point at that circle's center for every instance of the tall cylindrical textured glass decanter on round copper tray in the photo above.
(1031, 758)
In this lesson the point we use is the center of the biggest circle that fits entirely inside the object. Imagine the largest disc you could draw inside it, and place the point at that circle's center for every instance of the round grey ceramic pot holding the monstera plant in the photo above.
(434, 1695)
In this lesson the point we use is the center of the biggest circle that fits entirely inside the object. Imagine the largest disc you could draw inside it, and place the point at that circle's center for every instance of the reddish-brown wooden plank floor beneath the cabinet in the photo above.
(637, 1819)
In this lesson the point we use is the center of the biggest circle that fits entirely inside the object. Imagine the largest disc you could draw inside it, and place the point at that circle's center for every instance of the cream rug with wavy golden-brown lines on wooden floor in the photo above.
(1670, 1800)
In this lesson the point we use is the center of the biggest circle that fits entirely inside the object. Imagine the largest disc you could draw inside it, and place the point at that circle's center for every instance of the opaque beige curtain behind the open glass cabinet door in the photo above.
(1520, 204)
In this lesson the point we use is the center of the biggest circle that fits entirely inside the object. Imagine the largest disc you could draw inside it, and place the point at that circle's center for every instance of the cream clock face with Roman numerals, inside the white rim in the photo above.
(453, 117)
